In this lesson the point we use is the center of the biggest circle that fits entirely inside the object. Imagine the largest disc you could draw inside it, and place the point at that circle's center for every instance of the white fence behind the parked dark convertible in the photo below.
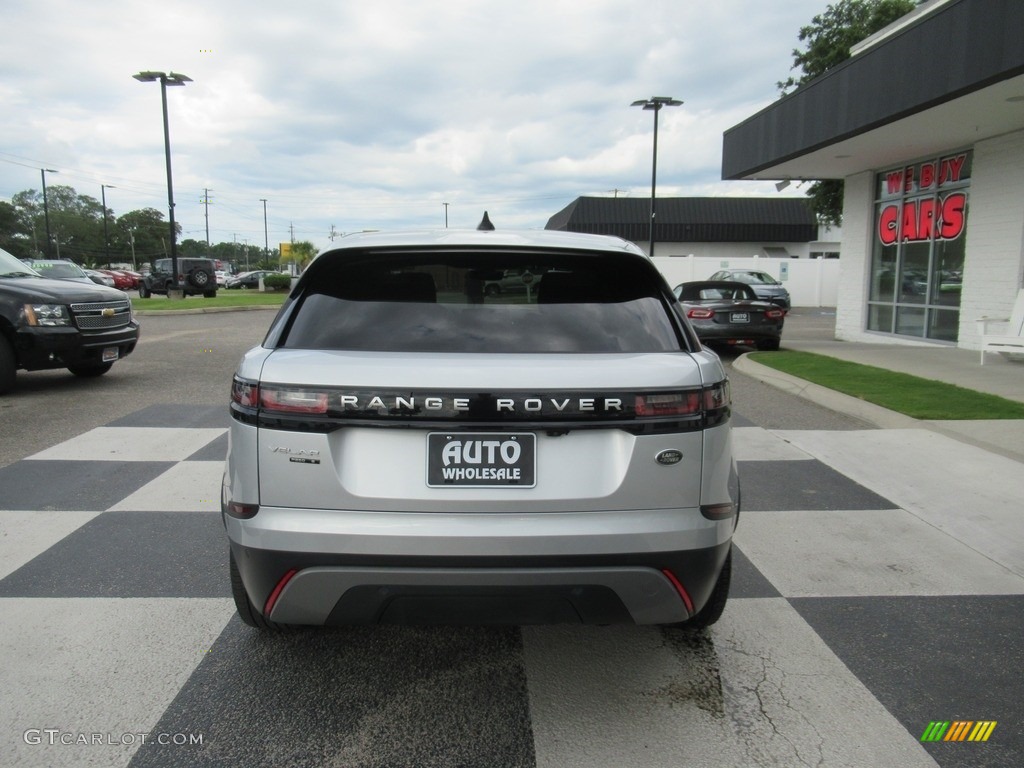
(810, 282)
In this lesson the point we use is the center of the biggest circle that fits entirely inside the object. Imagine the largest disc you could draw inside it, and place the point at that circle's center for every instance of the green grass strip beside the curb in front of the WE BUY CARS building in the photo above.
(912, 396)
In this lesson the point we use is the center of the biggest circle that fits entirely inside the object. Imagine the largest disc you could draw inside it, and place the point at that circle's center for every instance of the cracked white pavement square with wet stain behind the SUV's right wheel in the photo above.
(761, 690)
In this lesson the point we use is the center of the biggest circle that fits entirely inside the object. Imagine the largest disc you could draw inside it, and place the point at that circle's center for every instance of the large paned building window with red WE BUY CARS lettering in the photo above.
(918, 258)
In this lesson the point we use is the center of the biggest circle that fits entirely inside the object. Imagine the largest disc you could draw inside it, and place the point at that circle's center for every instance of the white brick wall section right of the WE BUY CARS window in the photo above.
(994, 272)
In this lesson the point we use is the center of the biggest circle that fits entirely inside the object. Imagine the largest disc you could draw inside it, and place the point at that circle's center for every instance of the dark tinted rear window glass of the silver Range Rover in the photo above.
(483, 303)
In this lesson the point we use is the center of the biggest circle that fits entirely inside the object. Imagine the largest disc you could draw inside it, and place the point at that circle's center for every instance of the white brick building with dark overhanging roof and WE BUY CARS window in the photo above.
(926, 125)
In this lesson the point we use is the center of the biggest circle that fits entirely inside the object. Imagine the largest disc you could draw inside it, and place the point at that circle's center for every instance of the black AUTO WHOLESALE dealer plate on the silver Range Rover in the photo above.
(482, 460)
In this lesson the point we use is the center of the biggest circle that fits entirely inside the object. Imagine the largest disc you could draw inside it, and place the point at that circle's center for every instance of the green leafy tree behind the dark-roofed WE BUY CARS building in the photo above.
(829, 39)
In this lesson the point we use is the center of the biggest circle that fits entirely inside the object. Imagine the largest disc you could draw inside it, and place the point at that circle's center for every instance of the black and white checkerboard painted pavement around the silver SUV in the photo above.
(879, 586)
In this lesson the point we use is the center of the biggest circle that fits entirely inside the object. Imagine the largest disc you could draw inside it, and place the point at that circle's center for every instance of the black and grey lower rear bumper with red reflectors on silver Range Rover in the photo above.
(317, 588)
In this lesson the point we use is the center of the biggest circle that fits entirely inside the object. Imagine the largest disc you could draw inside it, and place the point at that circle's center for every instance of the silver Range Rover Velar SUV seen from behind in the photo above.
(408, 447)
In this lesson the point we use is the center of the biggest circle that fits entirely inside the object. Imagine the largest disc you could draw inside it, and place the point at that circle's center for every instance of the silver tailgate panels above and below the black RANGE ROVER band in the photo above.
(567, 421)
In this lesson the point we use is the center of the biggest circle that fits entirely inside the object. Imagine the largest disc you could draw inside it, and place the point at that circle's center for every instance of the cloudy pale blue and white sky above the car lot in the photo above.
(373, 115)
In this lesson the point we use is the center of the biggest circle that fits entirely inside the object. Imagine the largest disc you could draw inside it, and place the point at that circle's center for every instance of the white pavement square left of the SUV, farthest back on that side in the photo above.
(133, 445)
